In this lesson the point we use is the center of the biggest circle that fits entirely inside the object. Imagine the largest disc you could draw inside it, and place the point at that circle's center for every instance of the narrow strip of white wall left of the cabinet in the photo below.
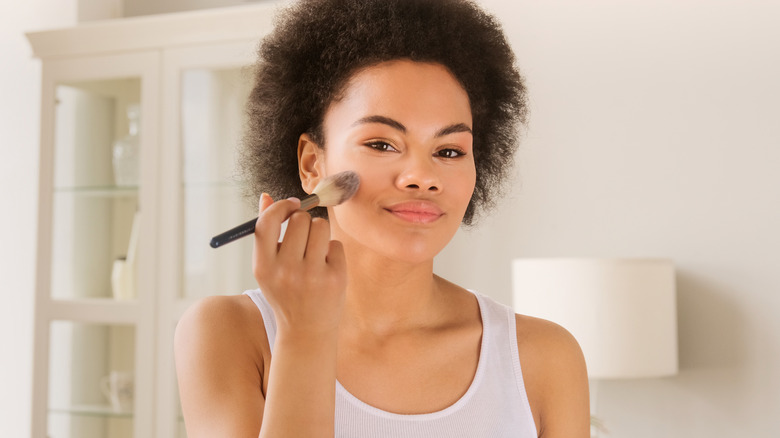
(19, 118)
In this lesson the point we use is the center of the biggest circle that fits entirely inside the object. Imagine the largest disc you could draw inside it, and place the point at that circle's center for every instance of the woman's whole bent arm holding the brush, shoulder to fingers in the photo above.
(221, 379)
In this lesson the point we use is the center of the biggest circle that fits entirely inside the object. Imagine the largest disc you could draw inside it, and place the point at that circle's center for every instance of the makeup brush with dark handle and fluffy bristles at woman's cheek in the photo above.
(331, 191)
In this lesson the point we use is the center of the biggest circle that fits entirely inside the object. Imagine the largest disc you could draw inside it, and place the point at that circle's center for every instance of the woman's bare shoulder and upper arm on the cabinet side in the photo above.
(221, 356)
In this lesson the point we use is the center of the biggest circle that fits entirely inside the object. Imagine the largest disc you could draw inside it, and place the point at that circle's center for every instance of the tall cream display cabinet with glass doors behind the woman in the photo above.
(124, 229)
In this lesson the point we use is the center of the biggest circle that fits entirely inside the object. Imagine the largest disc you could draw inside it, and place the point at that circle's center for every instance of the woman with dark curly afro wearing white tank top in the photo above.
(351, 334)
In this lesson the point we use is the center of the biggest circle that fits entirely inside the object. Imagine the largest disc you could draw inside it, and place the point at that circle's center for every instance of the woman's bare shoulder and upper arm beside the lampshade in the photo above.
(555, 377)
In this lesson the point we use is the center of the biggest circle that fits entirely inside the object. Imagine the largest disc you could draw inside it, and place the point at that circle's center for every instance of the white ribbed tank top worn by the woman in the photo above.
(495, 405)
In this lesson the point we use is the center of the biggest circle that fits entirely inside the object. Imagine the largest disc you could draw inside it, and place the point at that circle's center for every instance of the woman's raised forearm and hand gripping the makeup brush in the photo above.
(304, 281)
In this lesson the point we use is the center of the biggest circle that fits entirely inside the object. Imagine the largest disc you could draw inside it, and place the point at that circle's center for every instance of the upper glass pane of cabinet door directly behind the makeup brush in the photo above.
(212, 121)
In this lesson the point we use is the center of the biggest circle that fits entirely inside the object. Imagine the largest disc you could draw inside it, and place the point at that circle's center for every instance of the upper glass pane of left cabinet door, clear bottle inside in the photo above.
(95, 230)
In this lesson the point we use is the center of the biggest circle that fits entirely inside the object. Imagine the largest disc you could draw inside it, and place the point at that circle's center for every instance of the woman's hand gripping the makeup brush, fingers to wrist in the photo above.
(303, 277)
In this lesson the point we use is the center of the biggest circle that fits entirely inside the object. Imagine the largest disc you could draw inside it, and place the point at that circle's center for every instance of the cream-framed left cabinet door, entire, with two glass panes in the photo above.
(94, 366)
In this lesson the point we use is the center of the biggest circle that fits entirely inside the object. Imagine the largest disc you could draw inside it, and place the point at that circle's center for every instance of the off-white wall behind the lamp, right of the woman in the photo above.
(655, 131)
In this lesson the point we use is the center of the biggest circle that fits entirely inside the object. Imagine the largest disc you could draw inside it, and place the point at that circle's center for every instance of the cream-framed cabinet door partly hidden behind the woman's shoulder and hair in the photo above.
(204, 96)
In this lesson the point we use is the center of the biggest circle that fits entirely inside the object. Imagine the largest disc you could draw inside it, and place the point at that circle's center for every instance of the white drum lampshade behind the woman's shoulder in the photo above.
(622, 311)
